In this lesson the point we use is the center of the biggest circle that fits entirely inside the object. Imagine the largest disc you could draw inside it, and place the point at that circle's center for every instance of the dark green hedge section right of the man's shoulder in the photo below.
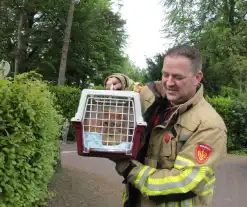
(234, 113)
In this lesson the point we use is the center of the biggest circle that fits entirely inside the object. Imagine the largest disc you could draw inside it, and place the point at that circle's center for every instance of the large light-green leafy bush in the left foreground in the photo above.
(29, 147)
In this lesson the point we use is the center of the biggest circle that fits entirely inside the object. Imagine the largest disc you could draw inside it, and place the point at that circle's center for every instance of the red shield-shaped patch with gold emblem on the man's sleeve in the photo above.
(202, 153)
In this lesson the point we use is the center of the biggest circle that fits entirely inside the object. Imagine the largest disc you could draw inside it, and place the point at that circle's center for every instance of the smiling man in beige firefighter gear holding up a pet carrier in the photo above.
(185, 138)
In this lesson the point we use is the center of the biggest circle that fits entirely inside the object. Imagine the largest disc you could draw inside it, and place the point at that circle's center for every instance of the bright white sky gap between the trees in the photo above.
(144, 23)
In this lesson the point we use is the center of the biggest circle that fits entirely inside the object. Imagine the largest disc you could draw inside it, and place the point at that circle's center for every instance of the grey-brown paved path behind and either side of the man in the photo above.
(97, 176)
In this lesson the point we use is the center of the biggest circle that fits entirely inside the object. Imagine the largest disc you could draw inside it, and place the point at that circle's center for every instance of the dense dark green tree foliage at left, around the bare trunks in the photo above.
(96, 44)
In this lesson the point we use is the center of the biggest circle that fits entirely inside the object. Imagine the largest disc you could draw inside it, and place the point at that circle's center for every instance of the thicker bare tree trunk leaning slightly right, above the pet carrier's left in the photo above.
(62, 69)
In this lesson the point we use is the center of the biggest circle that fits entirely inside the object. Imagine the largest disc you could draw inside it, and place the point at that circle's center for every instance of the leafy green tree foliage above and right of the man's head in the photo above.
(218, 28)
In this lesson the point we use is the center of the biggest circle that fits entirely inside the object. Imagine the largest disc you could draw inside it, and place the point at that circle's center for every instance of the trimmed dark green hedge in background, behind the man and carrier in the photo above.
(233, 111)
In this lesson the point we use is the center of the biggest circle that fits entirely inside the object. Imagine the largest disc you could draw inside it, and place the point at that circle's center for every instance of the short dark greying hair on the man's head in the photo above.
(189, 52)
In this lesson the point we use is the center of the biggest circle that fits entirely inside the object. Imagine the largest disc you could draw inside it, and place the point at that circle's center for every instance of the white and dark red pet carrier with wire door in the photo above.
(108, 123)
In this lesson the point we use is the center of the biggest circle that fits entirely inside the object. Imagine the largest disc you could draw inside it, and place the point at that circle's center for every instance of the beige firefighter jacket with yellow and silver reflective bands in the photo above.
(182, 163)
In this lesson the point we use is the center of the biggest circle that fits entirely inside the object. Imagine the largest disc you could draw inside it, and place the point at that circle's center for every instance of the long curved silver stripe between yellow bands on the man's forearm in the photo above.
(180, 184)
